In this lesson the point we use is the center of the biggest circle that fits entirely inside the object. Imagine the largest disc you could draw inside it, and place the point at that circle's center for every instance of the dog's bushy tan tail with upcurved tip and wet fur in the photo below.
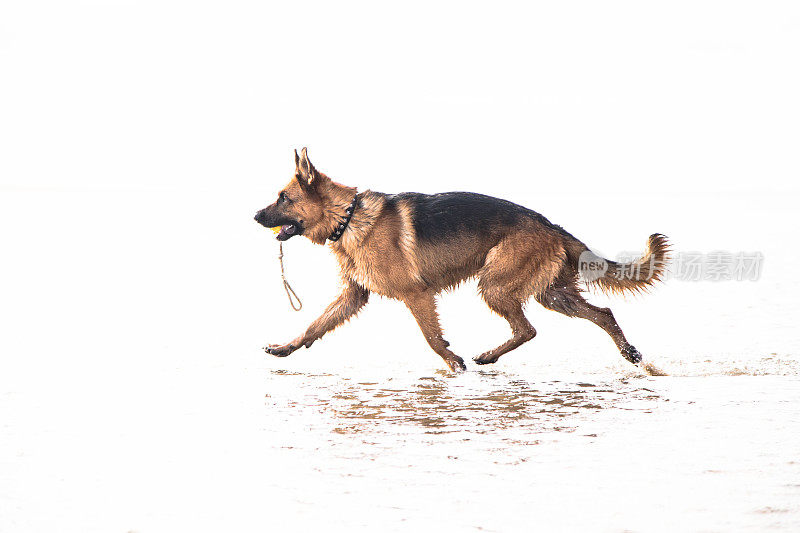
(621, 278)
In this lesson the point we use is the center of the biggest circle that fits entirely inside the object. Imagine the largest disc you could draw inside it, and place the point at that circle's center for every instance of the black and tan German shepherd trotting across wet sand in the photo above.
(412, 246)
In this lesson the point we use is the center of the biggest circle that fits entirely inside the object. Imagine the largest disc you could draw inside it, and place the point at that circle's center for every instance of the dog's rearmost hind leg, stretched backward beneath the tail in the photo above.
(564, 297)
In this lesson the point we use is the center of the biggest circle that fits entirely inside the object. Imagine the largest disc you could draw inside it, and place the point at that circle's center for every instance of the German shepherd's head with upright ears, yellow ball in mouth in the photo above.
(307, 205)
